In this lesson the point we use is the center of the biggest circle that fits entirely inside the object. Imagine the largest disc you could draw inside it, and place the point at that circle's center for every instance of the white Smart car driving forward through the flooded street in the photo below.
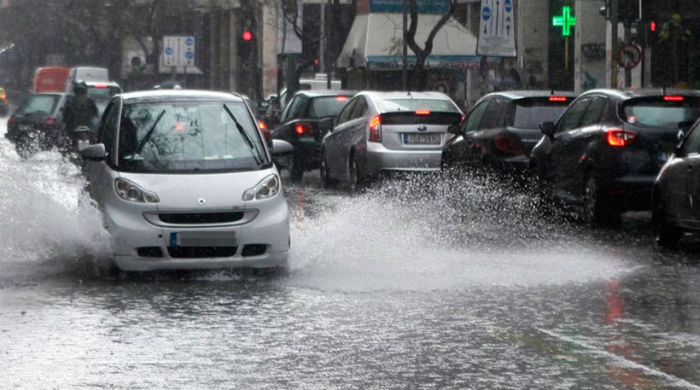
(185, 180)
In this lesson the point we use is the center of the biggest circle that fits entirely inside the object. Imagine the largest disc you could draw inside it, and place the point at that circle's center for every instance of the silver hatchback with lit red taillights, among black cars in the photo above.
(387, 131)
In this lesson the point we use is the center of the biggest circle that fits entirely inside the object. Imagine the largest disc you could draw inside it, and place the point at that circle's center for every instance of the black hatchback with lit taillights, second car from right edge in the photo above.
(603, 154)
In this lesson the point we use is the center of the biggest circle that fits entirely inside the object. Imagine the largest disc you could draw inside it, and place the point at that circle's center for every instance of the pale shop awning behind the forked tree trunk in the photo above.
(374, 42)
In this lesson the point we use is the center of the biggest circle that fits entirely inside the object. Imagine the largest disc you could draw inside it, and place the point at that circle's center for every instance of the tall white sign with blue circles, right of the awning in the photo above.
(497, 29)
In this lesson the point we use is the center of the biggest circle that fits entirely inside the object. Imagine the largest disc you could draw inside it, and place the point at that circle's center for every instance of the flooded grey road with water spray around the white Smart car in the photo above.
(419, 283)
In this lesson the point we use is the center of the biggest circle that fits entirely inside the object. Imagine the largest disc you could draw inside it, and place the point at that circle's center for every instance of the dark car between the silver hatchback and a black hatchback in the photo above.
(502, 128)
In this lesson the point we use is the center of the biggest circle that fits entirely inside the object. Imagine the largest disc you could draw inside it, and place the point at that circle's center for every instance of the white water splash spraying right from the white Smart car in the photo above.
(431, 233)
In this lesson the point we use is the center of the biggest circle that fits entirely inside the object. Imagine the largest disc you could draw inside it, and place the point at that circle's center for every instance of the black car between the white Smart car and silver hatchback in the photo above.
(303, 123)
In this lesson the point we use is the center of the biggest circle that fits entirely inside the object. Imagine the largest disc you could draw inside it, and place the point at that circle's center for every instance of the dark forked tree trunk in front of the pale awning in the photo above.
(418, 74)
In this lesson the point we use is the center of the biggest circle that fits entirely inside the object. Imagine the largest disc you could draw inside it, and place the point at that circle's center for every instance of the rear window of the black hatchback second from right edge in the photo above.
(660, 111)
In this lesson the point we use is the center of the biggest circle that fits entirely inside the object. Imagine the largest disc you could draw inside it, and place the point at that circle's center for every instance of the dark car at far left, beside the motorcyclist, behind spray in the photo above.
(37, 124)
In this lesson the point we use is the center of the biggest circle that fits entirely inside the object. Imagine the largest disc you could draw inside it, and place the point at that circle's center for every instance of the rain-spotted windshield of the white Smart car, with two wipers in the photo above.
(189, 136)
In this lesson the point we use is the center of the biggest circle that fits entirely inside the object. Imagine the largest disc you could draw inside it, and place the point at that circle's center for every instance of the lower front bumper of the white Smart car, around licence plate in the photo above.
(140, 245)
